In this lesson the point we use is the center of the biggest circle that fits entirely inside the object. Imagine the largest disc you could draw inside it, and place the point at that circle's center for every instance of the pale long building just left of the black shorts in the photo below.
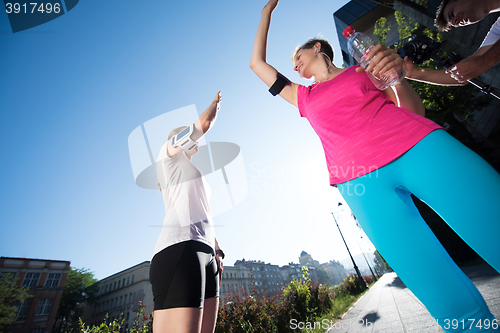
(119, 296)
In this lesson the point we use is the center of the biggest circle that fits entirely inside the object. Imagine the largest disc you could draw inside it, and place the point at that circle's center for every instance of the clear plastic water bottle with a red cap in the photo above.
(359, 46)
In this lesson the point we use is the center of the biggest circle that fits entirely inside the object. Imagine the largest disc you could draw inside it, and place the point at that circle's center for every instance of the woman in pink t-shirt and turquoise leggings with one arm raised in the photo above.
(379, 150)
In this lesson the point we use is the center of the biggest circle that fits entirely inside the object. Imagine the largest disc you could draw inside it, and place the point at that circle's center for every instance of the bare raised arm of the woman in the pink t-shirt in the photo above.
(258, 64)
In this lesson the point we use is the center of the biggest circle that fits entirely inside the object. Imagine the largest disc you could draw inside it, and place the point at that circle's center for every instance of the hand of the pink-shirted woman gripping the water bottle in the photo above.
(382, 59)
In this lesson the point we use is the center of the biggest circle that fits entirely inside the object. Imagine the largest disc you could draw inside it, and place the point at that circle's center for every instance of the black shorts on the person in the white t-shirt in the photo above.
(184, 275)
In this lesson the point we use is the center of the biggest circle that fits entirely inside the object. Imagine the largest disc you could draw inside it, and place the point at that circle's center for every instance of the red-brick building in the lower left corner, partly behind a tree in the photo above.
(46, 280)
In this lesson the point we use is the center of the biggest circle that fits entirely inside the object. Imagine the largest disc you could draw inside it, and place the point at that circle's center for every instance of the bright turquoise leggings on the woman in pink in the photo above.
(465, 191)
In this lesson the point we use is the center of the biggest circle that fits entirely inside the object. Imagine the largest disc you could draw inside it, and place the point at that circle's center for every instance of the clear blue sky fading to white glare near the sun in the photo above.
(73, 89)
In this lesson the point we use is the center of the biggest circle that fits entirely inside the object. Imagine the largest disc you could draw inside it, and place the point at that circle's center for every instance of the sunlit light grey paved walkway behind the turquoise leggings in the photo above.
(389, 306)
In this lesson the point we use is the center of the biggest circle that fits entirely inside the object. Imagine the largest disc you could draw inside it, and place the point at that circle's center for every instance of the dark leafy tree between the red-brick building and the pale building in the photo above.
(81, 287)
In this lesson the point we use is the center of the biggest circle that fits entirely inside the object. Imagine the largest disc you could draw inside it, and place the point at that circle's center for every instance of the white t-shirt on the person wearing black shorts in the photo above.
(185, 195)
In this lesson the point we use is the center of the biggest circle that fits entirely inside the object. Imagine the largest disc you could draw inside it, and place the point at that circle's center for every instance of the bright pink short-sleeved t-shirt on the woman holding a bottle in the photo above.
(361, 130)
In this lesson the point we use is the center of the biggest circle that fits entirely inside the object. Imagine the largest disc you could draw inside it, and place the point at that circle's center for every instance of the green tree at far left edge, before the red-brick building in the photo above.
(10, 295)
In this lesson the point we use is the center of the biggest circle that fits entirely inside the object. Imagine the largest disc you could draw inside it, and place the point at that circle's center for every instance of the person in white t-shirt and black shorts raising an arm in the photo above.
(186, 267)
